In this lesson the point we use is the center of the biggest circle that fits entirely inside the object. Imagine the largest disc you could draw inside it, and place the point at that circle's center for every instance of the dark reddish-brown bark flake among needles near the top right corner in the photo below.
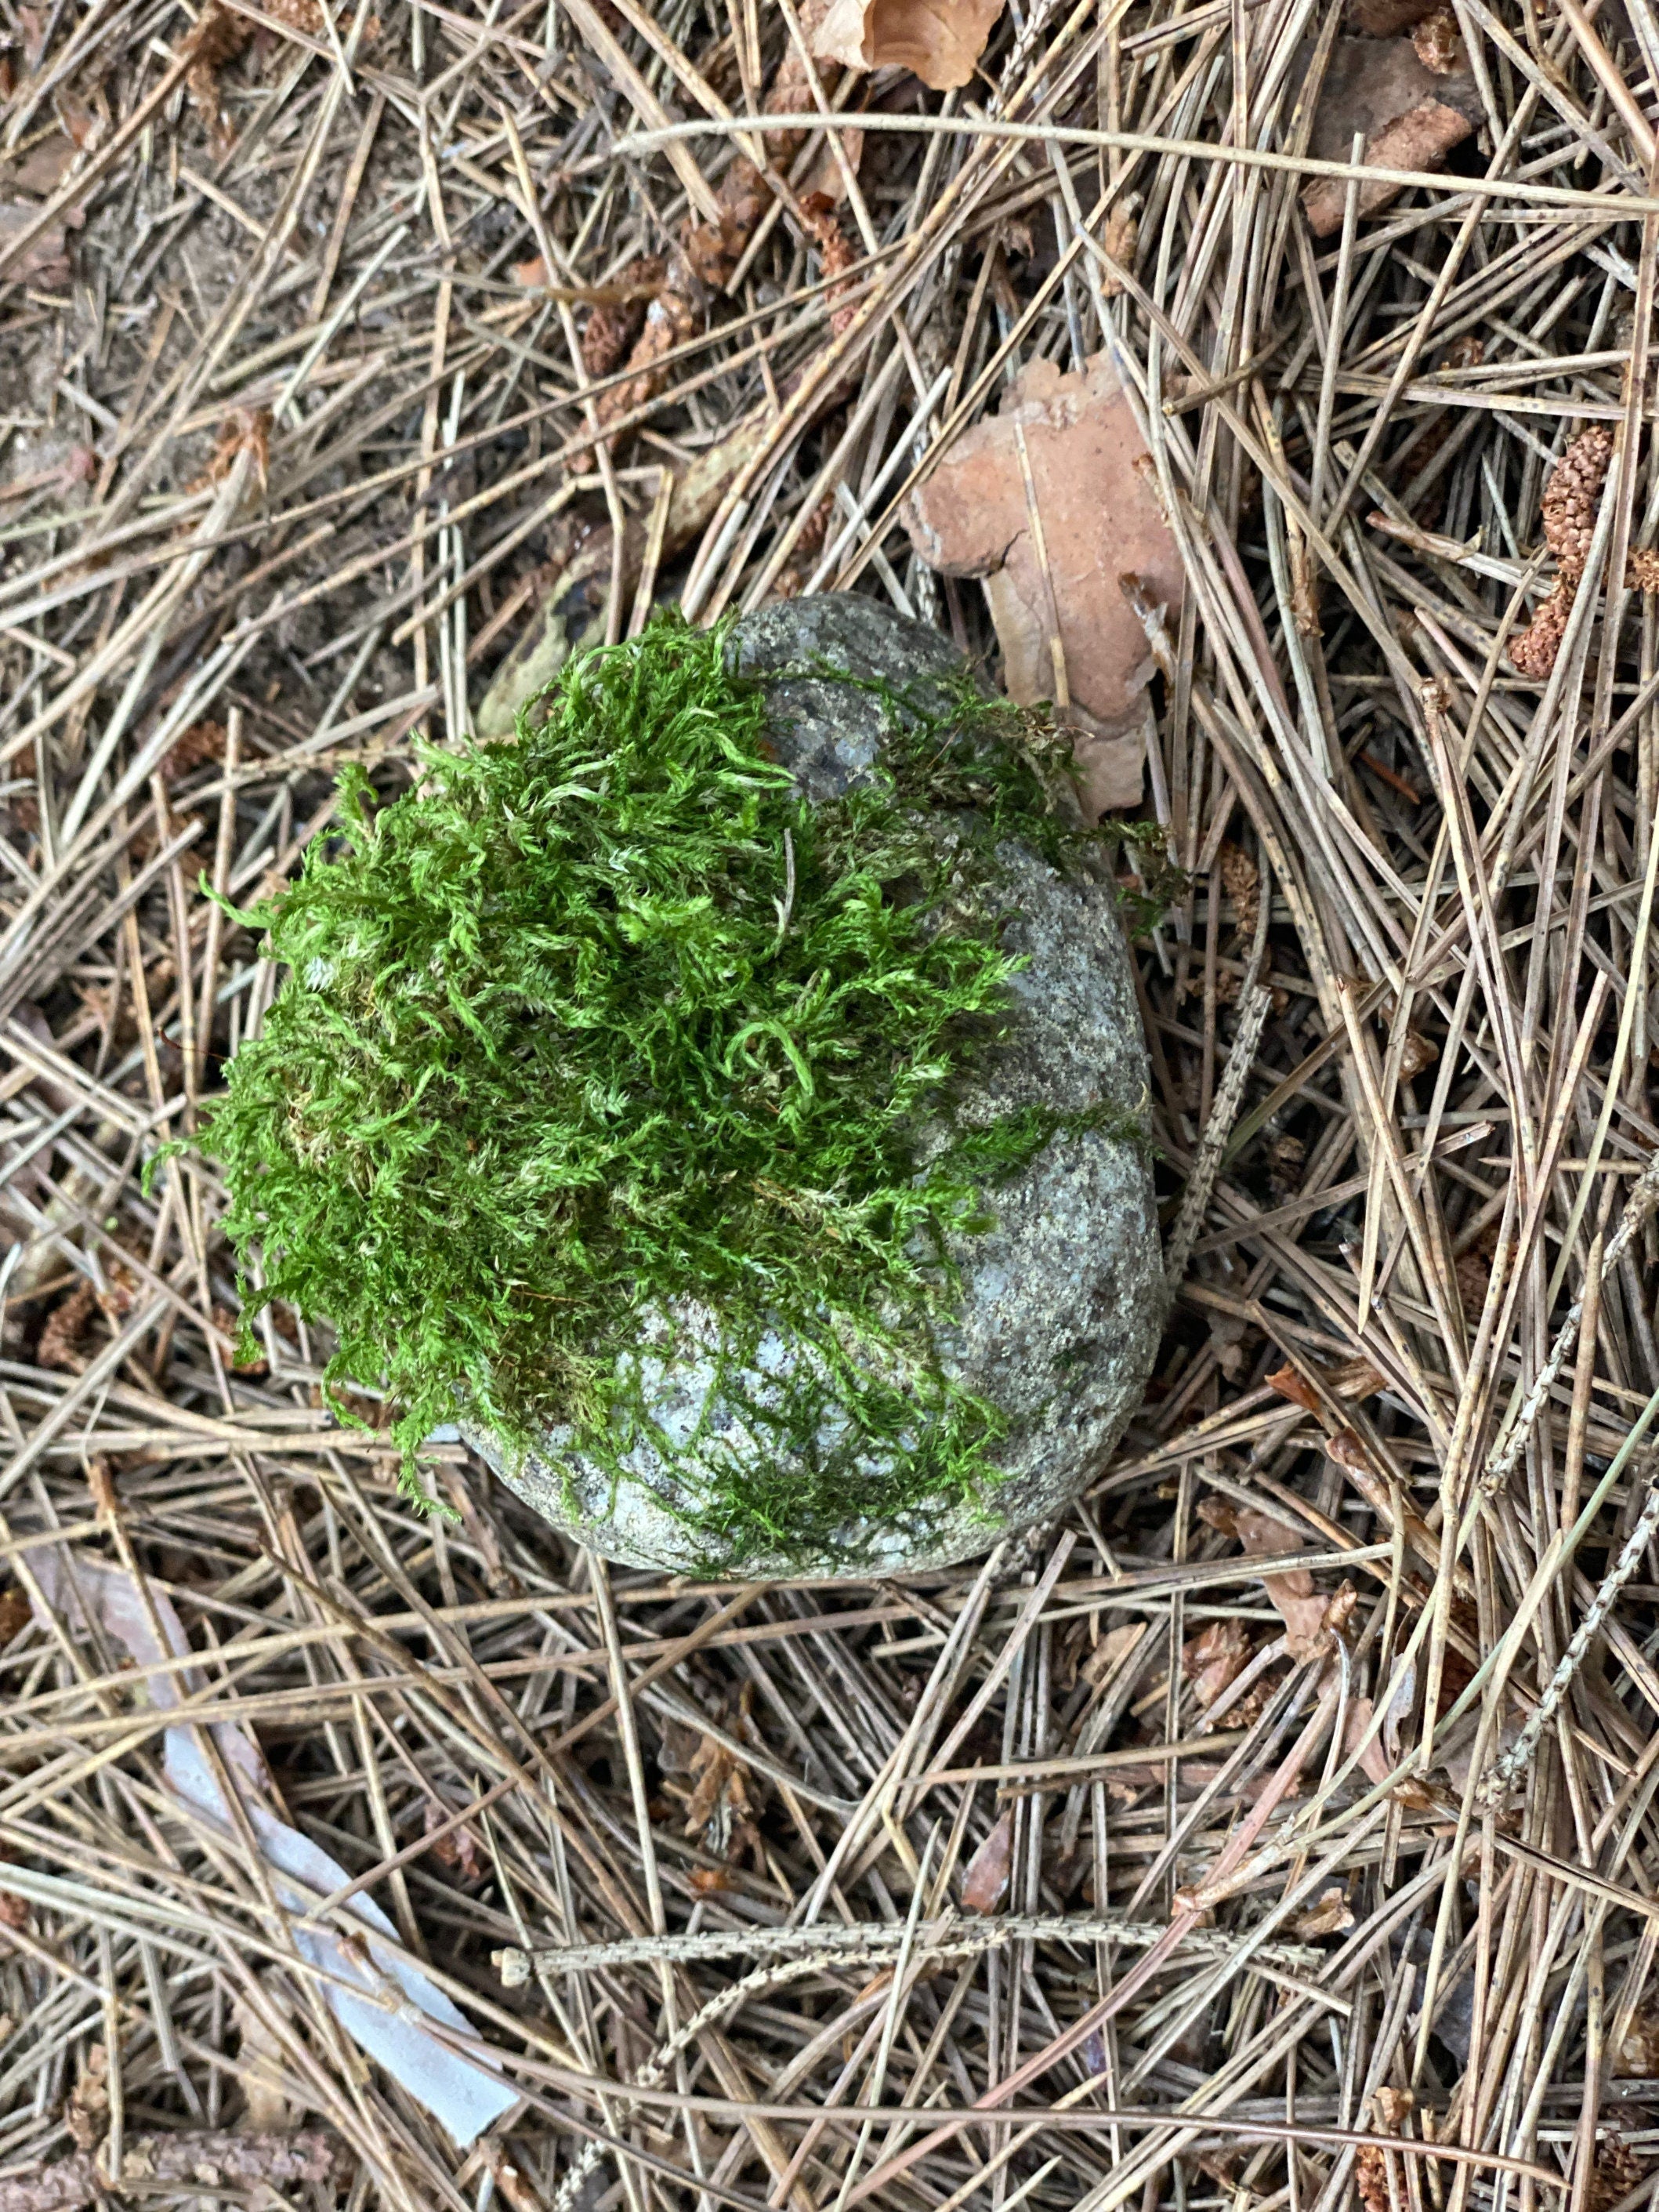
(1410, 116)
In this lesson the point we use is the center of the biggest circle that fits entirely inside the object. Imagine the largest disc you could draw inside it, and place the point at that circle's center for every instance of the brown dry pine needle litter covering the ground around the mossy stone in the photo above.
(1277, 1828)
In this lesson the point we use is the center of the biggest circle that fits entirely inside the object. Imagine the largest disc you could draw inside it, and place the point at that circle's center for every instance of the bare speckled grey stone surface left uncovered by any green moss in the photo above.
(1063, 1300)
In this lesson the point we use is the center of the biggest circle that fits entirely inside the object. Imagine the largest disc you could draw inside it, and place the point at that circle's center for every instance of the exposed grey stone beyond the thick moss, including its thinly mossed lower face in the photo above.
(1050, 1302)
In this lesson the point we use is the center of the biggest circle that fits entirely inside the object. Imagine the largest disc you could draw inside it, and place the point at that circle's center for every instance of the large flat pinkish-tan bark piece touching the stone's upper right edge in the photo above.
(1096, 519)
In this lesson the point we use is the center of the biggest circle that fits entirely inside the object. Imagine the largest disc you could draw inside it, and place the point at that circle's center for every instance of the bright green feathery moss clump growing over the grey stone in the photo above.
(612, 1019)
